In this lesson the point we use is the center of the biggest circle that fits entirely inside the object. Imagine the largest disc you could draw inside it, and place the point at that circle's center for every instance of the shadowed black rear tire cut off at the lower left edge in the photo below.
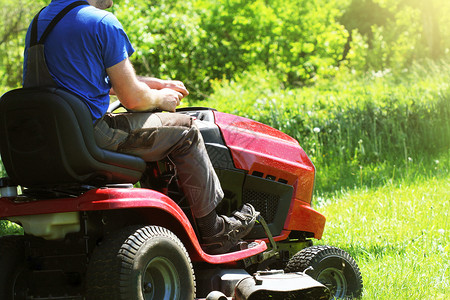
(13, 267)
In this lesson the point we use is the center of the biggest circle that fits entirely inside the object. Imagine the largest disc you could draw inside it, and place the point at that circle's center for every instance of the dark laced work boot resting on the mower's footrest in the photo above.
(234, 229)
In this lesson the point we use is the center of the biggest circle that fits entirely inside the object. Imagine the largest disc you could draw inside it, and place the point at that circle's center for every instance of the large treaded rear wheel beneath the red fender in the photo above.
(140, 264)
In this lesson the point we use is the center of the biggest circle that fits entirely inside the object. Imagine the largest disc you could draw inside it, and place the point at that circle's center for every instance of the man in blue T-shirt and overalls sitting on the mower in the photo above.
(87, 52)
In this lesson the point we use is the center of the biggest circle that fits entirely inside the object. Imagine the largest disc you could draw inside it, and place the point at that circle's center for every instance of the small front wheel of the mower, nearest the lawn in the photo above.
(331, 266)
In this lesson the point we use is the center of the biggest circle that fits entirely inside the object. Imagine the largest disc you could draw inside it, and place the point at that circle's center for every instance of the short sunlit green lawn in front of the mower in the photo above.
(399, 234)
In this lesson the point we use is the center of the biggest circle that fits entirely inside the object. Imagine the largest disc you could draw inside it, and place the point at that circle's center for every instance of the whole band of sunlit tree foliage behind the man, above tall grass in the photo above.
(299, 40)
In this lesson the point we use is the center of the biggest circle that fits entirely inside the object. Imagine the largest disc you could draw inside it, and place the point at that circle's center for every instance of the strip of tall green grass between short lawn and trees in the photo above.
(358, 130)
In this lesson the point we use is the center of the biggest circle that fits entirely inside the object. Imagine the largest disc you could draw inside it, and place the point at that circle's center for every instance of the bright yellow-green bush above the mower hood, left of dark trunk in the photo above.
(299, 39)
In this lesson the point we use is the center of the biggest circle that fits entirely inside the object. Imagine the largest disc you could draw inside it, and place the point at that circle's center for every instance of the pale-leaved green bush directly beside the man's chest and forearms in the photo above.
(166, 37)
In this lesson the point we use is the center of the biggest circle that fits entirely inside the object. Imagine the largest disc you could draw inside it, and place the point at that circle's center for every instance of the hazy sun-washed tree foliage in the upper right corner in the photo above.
(396, 33)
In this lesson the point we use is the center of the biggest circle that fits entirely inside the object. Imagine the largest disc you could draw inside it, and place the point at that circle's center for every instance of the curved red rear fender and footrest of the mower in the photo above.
(153, 208)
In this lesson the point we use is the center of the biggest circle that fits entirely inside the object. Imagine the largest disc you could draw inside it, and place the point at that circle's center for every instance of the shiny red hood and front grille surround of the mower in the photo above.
(269, 153)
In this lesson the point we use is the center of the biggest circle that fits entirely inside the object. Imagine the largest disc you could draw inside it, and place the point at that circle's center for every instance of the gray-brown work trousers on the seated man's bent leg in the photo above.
(154, 136)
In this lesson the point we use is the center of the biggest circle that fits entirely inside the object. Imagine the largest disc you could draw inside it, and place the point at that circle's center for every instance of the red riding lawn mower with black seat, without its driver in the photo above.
(104, 225)
